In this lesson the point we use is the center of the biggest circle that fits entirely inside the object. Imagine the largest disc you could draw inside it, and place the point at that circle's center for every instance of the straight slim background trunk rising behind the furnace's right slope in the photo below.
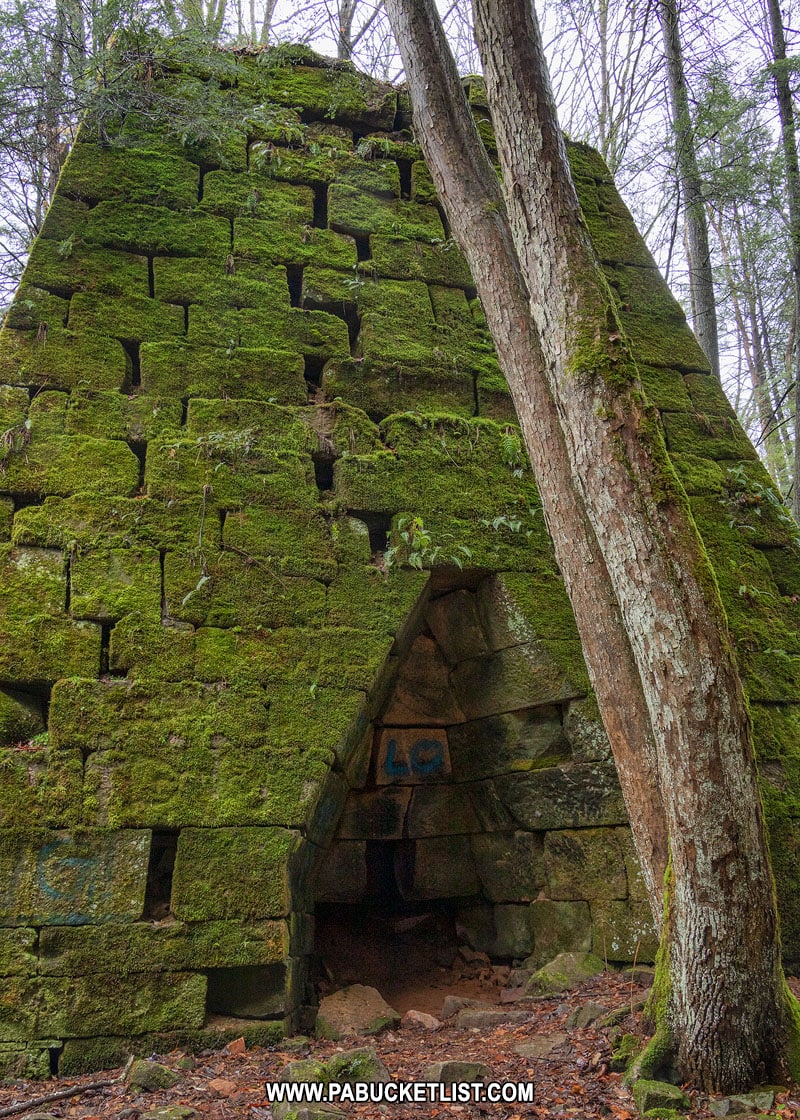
(704, 313)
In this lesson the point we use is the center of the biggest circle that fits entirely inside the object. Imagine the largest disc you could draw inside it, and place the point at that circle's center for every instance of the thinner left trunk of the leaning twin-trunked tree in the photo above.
(477, 211)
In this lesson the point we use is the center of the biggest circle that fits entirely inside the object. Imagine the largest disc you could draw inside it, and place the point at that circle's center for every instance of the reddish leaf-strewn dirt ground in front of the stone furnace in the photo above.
(573, 1081)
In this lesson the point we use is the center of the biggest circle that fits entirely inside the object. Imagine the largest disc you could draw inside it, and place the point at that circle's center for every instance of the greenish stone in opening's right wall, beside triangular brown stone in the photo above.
(515, 678)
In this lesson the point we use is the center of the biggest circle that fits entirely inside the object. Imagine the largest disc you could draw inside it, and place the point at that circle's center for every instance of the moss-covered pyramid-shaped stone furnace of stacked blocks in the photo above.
(237, 371)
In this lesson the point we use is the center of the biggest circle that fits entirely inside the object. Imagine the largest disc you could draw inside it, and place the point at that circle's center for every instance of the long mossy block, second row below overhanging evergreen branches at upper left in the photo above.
(141, 229)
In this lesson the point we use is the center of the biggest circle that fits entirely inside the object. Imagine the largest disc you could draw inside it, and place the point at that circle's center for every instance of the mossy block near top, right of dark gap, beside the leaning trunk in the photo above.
(358, 213)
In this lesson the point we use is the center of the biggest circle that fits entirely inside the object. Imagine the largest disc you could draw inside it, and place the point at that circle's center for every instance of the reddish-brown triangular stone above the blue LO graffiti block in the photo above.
(423, 696)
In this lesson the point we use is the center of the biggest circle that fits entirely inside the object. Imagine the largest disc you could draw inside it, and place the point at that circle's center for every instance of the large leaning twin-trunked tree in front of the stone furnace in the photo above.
(723, 998)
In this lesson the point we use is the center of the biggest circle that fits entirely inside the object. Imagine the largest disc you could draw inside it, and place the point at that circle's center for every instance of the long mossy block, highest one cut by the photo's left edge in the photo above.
(62, 360)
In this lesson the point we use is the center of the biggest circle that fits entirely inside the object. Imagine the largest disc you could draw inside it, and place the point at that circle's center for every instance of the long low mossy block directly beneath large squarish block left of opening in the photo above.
(151, 947)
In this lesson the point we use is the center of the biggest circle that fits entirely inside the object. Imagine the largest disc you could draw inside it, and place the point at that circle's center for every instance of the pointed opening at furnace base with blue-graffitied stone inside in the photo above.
(436, 875)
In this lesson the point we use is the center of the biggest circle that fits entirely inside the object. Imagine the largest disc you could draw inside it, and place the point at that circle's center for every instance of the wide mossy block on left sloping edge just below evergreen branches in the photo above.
(157, 179)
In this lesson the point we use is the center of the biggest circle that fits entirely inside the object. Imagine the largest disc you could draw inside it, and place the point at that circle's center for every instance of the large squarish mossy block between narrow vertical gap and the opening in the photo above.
(225, 874)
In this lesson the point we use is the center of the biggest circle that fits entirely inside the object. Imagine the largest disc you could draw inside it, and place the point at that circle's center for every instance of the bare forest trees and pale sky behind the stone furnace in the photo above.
(692, 106)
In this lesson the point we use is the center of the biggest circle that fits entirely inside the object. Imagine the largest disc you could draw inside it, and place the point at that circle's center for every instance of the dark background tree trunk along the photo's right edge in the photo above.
(786, 110)
